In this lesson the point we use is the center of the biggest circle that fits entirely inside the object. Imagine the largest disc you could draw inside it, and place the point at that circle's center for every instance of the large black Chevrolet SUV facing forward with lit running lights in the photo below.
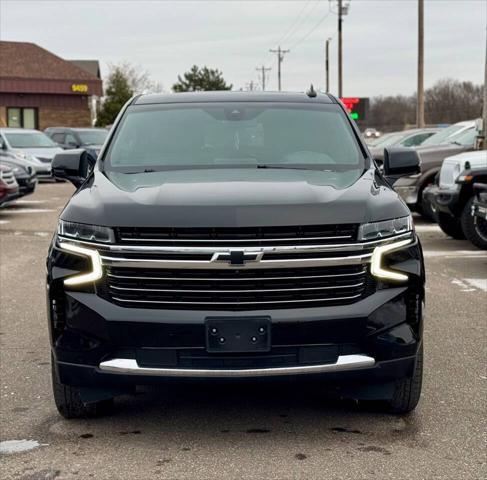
(235, 235)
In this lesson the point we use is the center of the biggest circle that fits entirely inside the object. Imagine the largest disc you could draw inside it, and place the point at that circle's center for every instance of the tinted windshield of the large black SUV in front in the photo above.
(228, 134)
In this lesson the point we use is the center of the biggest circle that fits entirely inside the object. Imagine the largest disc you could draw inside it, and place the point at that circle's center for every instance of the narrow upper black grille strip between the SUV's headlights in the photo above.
(231, 237)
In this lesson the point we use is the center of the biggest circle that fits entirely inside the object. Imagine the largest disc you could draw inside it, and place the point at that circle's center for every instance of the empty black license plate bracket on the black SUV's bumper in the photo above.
(238, 335)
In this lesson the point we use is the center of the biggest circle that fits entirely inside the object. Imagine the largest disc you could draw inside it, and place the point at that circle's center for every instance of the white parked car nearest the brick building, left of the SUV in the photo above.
(34, 147)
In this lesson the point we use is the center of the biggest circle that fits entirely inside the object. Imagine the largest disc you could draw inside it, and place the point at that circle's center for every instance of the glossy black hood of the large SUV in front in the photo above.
(232, 198)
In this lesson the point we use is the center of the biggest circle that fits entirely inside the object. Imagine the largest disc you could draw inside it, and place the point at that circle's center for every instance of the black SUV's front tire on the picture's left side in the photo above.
(68, 400)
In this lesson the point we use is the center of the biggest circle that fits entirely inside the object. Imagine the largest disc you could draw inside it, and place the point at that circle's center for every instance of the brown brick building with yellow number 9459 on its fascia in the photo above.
(39, 89)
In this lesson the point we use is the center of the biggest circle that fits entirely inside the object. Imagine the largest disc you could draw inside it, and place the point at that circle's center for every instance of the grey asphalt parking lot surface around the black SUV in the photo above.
(243, 431)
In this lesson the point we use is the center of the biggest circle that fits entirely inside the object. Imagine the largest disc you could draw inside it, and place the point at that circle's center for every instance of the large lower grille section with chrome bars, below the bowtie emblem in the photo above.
(233, 289)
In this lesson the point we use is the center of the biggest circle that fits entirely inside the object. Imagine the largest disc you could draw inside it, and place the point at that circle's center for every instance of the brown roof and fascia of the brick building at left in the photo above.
(27, 68)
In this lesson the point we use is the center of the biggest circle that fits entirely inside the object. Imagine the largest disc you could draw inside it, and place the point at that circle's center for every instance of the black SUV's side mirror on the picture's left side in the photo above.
(73, 165)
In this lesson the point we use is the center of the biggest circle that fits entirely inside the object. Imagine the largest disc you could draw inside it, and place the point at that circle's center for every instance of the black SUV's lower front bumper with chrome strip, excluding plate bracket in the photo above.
(103, 344)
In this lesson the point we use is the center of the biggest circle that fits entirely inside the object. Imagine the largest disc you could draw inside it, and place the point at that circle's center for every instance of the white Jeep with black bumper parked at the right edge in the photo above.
(454, 196)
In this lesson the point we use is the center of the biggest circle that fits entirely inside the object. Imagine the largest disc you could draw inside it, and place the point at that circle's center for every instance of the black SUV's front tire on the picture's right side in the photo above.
(408, 390)
